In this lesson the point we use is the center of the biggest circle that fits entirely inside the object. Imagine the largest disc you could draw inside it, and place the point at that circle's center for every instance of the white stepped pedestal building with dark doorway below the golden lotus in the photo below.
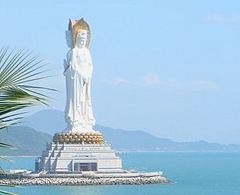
(75, 158)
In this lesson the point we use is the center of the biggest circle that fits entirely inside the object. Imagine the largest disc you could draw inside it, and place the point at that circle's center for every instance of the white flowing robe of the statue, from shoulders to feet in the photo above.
(78, 73)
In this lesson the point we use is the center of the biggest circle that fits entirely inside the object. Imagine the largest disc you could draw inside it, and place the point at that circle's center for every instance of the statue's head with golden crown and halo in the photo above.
(80, 32)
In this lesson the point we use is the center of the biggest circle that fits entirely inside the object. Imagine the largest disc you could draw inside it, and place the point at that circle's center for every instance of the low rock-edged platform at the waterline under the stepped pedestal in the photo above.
(84, 178)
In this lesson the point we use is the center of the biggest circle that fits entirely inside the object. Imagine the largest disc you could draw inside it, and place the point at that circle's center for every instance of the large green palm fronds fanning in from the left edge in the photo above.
(18, 71)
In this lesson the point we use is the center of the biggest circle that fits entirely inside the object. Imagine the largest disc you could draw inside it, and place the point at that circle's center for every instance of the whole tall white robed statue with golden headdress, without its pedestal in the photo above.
(78, 72)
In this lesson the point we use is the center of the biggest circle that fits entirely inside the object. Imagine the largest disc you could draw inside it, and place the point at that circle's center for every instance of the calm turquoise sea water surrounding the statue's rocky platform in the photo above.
(191, 173)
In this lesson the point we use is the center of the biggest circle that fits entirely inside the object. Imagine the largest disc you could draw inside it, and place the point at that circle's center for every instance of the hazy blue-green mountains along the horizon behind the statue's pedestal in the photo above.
(31, 139)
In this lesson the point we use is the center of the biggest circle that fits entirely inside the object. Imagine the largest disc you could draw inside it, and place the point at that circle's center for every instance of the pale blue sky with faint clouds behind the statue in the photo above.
(170, 68)
